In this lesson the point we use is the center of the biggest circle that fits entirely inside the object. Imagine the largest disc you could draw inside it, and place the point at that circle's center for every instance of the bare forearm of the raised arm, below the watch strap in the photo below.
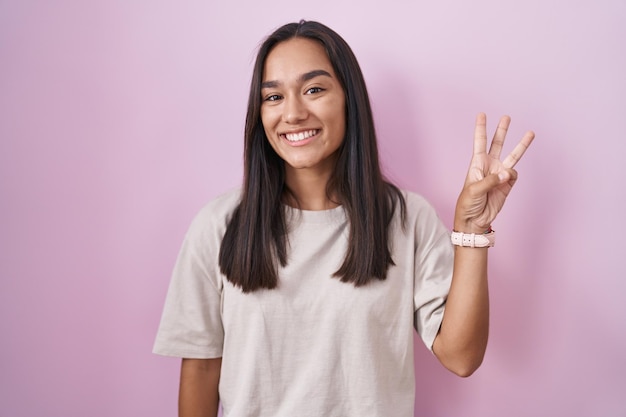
(462, 339)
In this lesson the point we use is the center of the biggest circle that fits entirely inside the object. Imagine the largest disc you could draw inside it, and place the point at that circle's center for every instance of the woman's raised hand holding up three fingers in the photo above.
(489, 180)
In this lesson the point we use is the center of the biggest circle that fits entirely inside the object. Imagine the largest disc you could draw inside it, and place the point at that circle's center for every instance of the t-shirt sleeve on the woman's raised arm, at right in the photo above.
(434, 259)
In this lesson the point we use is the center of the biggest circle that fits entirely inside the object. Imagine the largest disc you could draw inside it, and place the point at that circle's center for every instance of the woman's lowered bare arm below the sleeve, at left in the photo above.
(198, 396)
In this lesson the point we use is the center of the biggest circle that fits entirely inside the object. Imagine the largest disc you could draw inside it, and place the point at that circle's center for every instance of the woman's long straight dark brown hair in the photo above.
(255, 242)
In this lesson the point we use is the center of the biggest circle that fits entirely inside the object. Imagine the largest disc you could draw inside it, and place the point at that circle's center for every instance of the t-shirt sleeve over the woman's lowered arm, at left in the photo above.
(191, 323)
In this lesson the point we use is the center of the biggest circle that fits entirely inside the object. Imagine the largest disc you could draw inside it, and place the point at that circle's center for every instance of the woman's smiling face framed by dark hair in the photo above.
(303, 106)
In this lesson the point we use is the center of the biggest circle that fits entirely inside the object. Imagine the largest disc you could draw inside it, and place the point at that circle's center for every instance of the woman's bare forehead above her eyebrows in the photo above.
(294, 57)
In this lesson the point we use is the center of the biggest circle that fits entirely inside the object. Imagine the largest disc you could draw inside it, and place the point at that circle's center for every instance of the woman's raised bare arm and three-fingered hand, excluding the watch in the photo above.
(462, 339)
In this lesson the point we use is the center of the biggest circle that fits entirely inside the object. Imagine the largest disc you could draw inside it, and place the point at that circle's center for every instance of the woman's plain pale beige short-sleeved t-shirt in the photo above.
(314, 346)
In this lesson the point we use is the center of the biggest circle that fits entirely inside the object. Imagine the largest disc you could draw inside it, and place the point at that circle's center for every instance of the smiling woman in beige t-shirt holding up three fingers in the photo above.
(297, 295)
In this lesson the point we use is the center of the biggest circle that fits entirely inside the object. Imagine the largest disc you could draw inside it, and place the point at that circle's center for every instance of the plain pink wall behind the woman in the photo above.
(118, 120)
